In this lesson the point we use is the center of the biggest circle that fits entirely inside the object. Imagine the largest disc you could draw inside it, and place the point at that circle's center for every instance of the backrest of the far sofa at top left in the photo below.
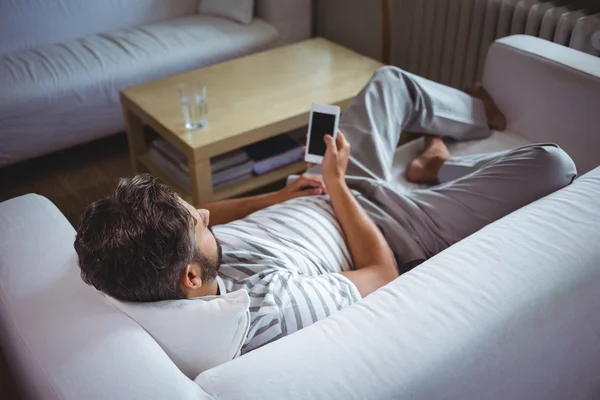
(28, 23)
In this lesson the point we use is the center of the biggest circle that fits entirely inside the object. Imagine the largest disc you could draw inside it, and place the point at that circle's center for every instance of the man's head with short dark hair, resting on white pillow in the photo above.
(144, 243)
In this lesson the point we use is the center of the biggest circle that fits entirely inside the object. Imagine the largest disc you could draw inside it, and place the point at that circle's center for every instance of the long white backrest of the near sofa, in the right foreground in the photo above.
(510, 312)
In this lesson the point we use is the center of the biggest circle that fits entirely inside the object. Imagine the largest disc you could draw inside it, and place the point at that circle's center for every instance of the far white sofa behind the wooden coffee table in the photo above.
(62, 63)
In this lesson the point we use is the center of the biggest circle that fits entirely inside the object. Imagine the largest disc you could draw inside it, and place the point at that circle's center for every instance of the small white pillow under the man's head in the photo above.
(197, 334)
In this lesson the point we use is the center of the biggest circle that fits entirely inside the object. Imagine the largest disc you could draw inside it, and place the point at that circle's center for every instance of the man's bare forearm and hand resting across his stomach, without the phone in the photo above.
(222, 212)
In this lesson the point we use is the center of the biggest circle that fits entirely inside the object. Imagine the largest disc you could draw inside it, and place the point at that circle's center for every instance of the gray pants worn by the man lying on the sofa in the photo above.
(474, 190)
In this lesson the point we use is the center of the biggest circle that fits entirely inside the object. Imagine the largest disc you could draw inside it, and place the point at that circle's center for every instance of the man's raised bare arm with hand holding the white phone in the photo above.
(371, 254)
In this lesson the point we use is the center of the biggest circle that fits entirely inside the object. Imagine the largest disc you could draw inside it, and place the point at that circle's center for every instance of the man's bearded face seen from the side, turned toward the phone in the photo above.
(208, 252)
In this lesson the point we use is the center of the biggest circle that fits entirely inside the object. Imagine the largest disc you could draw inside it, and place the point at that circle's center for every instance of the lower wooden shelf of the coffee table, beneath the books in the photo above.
(226, 191)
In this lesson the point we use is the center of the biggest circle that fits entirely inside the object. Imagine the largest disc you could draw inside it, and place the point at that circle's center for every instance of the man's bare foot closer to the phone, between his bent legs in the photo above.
(424, 169)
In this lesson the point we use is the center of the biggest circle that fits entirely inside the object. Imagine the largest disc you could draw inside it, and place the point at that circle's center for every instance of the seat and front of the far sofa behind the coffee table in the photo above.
(60, 95)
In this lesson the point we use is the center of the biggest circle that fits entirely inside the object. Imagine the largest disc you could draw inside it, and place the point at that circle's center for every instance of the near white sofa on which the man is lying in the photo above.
(510, 312)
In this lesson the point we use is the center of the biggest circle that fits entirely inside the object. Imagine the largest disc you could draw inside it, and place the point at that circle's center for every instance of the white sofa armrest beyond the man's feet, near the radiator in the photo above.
(549, 93)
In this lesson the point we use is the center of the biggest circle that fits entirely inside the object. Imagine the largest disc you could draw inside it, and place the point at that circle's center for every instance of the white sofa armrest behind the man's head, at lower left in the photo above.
(62, 339)
